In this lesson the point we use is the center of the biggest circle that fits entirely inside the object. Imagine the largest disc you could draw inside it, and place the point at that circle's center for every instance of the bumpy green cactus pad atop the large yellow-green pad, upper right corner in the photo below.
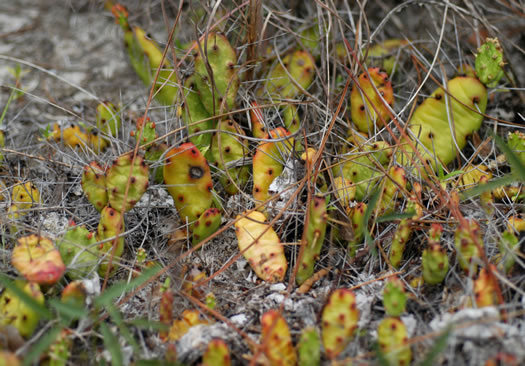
(489, 62)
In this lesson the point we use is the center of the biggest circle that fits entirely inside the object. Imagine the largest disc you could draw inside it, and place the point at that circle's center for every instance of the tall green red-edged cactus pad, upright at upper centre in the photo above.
(221, 57)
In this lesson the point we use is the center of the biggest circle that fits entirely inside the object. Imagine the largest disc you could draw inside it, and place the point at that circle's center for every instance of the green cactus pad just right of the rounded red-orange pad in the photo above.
(77, 249)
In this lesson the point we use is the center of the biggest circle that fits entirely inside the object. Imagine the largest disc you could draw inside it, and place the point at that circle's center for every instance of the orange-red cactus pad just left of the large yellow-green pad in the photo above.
(365, 100)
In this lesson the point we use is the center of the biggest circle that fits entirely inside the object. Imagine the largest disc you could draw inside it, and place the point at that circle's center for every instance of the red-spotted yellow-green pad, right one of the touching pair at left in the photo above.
(125, 169)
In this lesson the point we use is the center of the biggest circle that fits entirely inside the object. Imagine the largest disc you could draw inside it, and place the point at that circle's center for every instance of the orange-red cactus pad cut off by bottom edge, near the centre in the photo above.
(275, 335)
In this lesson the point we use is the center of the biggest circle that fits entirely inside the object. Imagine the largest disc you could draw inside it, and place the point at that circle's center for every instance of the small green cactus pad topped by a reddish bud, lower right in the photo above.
(434, 259)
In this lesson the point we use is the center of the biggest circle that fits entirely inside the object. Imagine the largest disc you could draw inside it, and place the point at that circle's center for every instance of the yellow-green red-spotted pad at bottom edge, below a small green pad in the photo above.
(393, 341)
